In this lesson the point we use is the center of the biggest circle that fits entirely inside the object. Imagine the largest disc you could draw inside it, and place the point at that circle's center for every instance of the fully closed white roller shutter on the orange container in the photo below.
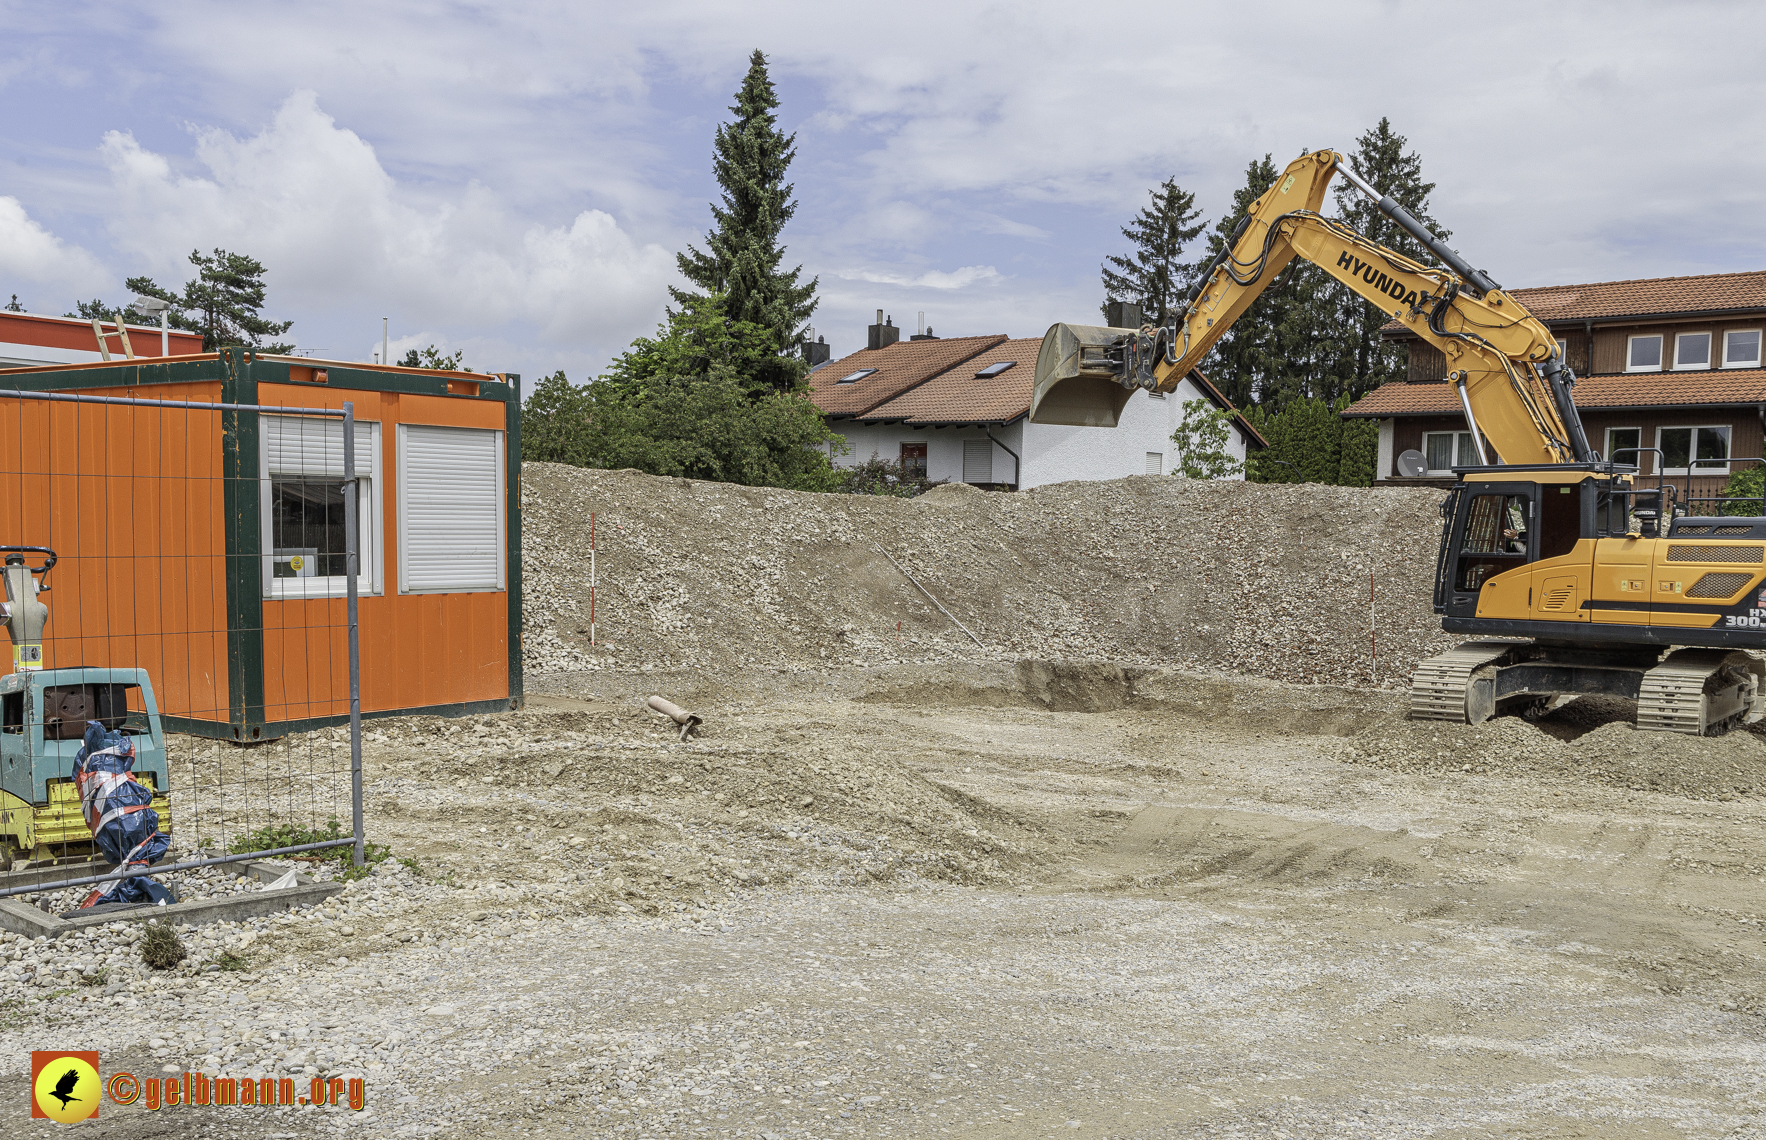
(451, 509)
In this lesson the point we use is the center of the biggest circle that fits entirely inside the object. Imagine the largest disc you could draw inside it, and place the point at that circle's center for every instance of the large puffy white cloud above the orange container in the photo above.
(342, 237)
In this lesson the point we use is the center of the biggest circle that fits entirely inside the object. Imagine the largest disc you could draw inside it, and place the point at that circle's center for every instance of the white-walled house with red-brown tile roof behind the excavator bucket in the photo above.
(958, 410)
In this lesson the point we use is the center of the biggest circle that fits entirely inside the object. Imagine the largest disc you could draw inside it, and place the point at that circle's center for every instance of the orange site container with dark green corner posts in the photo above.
(170, 559)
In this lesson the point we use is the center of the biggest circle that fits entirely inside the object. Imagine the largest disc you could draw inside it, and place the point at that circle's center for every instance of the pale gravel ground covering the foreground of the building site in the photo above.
(976, 899)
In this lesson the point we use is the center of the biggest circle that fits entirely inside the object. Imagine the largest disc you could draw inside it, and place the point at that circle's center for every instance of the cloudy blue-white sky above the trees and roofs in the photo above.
(515, 179)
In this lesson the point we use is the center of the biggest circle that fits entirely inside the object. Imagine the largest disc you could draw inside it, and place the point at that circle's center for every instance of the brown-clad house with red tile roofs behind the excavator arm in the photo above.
(1666, 363)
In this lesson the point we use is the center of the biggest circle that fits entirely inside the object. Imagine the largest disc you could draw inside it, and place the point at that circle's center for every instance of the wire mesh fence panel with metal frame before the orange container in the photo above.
(185, 693)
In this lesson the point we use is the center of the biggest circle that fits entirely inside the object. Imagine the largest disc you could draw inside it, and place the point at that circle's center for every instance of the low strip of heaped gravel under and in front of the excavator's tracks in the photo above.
(1585, 742)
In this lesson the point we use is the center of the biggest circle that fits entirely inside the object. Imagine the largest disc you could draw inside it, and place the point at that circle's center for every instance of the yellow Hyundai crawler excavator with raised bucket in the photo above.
(1594, 581)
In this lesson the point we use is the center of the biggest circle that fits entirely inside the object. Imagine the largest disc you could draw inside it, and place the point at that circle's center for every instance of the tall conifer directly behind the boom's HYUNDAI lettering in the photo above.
(1382, 161)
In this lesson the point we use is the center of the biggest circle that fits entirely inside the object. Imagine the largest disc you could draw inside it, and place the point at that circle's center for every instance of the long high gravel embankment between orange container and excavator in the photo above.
(1151, 571)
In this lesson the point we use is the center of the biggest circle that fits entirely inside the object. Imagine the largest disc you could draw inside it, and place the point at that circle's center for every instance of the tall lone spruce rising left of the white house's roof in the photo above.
(743, 250)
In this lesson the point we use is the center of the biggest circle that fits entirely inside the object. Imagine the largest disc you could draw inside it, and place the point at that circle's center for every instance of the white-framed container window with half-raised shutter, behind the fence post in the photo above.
(301, 506)
